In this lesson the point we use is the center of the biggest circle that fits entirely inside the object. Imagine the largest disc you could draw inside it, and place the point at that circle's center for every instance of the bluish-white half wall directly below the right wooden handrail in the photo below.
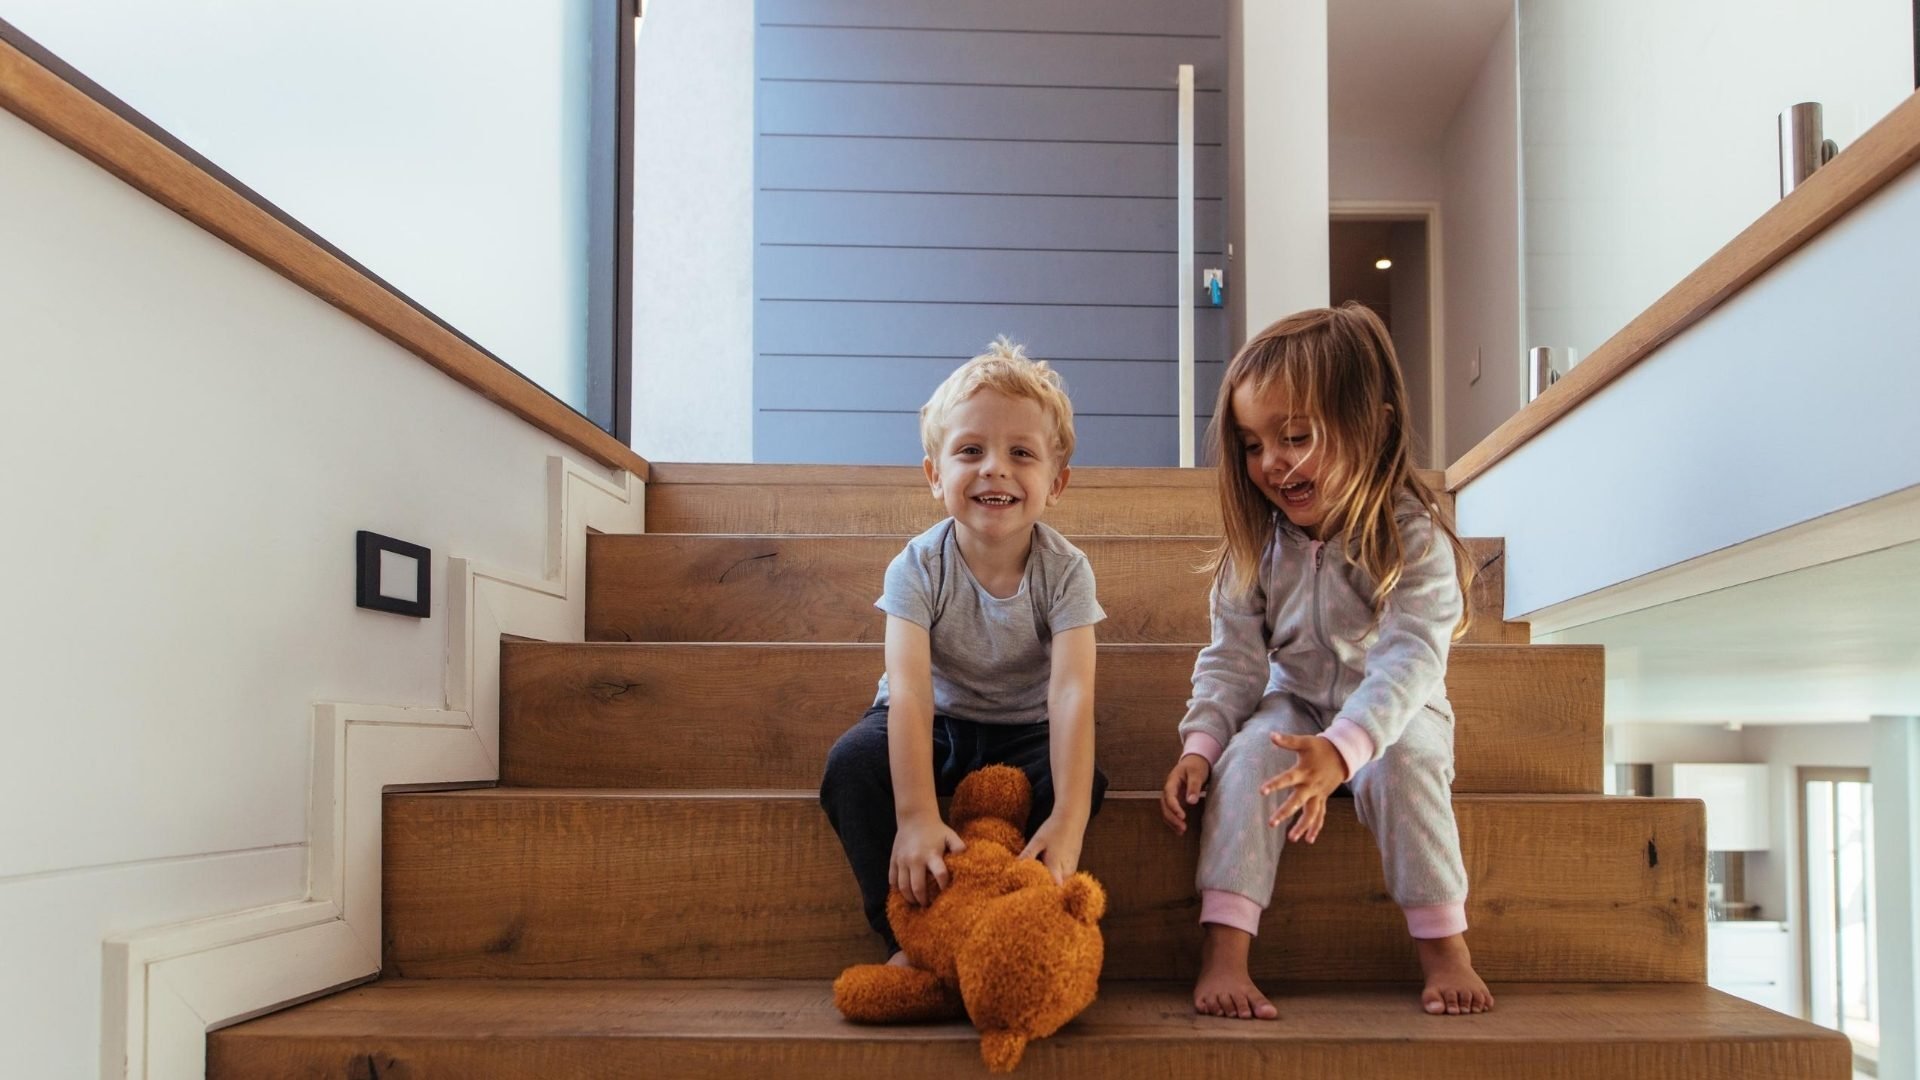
(1788, 403)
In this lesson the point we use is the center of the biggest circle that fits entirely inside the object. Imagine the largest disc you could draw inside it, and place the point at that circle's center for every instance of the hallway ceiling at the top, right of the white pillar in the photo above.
(1399, 68)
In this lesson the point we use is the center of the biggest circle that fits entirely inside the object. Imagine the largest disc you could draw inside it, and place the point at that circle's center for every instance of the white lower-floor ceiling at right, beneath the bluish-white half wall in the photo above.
(1829, 645)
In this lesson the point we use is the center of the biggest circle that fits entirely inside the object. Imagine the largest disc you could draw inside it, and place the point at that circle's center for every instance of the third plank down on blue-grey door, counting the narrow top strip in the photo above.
(978, 112)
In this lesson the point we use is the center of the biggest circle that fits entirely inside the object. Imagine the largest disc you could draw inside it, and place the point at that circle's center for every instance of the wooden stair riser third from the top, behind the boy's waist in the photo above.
(638, 716)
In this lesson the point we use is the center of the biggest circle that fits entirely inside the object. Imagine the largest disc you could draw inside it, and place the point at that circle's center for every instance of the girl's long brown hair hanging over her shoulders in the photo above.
(1335, 364)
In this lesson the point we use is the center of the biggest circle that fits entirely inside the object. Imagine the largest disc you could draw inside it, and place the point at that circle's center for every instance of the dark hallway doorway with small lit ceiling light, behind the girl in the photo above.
(1387, 258)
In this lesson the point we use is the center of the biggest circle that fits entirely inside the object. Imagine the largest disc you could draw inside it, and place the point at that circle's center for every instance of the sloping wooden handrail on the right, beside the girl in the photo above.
(1861, 170)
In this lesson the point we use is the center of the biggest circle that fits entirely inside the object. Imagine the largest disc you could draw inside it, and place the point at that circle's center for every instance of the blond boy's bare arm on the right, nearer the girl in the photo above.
(1070, 716)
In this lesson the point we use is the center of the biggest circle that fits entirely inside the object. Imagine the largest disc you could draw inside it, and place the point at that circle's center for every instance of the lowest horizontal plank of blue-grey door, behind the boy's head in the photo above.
(894, 439)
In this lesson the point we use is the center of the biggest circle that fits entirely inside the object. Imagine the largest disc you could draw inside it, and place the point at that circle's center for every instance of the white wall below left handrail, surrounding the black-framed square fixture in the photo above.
(191, 445)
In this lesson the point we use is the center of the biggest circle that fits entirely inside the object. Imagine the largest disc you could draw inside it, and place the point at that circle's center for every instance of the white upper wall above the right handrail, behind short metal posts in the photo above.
(1650, 135)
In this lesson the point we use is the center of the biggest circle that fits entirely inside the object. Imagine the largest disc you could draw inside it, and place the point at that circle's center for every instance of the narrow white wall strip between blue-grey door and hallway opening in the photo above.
(1278, 159)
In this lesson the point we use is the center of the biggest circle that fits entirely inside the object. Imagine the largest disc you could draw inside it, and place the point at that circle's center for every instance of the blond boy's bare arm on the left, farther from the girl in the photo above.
(923, 839)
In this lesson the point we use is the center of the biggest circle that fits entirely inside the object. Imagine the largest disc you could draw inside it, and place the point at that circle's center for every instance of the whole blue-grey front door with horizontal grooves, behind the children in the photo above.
(934, 174)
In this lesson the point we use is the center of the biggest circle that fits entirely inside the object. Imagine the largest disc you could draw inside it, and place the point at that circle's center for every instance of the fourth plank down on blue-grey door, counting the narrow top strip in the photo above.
(825, 162)
